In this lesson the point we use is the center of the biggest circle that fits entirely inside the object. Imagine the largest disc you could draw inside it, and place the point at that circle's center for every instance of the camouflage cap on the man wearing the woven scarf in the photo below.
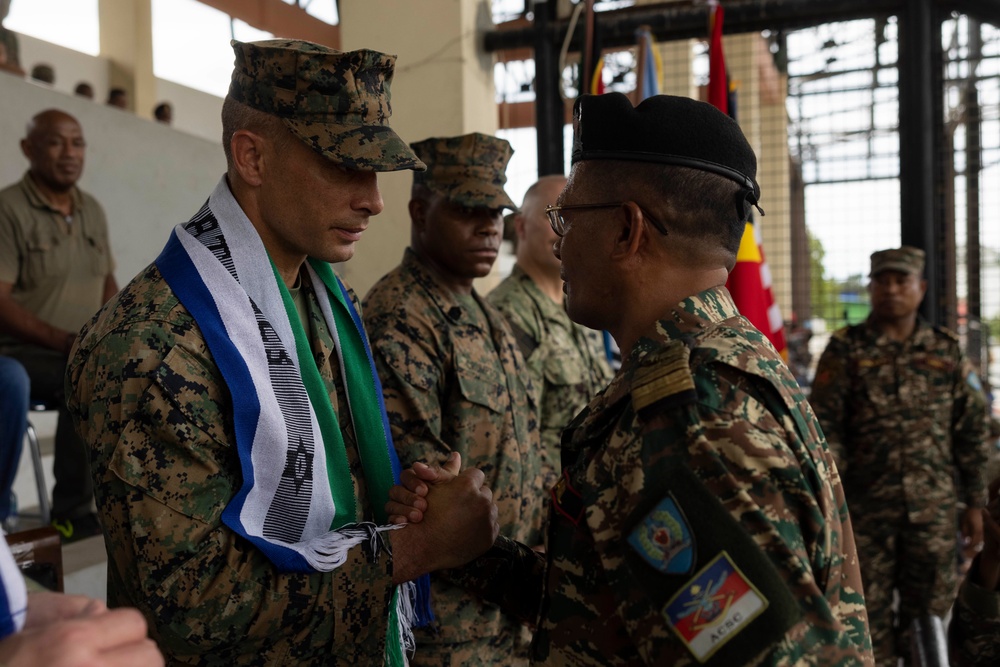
(336, 102)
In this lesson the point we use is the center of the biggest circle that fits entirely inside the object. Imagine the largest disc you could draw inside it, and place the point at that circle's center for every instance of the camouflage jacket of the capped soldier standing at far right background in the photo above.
(902, 418)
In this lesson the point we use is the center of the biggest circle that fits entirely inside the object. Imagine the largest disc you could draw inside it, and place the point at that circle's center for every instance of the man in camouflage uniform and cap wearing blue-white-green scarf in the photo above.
(237, 431)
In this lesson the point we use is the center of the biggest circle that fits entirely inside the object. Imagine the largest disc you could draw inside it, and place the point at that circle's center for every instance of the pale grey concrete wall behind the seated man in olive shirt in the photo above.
(147, 177)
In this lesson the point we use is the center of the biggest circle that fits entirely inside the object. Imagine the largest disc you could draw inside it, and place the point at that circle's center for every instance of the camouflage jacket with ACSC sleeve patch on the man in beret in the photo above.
(699, 519)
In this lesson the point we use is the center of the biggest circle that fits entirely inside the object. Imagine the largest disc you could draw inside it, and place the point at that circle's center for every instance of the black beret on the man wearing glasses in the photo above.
(664, 129)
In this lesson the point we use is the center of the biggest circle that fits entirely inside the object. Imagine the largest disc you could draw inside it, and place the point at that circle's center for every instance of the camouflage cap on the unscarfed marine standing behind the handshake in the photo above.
(469, 170)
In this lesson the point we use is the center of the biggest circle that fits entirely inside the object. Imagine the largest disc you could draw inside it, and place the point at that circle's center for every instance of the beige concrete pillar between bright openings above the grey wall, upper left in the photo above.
(127, 43)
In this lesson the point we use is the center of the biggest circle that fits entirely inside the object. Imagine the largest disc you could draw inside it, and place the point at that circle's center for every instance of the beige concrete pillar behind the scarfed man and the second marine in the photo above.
(443, 86)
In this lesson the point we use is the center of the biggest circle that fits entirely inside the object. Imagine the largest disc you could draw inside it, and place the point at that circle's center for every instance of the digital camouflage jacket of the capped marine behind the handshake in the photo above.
(449, 385)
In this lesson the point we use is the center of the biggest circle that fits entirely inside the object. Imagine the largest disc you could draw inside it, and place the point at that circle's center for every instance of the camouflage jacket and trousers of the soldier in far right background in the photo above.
(907, 423)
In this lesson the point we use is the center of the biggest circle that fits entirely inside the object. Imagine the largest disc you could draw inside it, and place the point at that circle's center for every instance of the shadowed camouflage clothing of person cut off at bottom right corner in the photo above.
(974, 631)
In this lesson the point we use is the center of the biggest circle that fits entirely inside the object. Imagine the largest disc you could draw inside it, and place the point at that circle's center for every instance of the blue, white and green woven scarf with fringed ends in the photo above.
(297, 502)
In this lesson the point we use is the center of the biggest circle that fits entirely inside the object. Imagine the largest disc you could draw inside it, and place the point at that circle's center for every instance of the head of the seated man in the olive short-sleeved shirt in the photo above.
(55, 147)
